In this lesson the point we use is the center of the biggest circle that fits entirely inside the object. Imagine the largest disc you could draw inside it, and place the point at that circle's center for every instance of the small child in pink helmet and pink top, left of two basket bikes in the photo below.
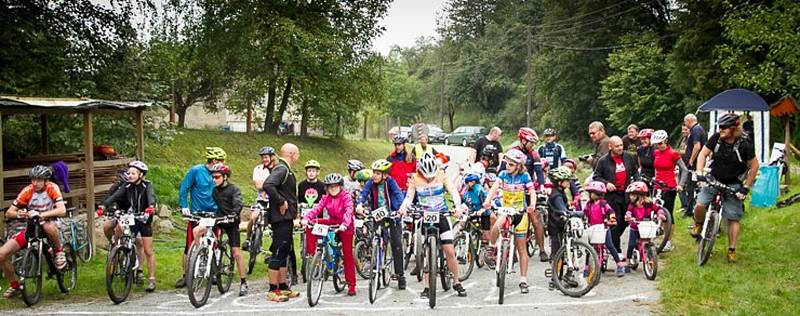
(597, 212)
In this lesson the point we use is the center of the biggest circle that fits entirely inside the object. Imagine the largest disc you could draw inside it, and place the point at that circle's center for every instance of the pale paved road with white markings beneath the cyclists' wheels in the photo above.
(632, 294)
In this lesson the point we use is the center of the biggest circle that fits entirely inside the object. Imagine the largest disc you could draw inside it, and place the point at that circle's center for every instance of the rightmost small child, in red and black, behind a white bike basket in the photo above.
(639, 208)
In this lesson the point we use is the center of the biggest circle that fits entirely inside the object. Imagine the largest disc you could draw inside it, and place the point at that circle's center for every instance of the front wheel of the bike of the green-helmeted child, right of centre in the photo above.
(575, 269)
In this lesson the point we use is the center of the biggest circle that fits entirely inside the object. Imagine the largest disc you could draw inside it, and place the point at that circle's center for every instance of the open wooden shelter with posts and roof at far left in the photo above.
(88, 178)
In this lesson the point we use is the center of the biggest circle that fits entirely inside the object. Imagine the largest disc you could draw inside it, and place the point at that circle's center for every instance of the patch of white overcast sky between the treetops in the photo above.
(406, 21)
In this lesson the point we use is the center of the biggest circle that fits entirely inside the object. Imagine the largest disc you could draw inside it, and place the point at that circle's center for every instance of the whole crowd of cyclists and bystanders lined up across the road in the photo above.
(414, 180)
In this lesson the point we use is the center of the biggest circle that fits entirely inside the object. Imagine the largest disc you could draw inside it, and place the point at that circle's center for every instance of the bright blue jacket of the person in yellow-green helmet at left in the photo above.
(200, 186)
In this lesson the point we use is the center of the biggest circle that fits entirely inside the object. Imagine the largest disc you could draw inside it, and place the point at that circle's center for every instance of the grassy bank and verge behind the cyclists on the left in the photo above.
(168, 164)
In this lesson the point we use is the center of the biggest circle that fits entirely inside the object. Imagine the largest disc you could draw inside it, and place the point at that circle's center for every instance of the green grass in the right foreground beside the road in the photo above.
(763, 282)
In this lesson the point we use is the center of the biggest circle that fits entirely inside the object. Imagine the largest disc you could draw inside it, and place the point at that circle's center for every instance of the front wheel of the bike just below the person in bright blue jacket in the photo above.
(202, 266)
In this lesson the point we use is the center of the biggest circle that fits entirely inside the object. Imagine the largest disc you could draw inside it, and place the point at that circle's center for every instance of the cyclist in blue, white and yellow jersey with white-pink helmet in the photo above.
(515, 182)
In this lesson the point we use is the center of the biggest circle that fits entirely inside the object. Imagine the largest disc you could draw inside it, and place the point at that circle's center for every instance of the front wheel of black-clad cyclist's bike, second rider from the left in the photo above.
(119, 275)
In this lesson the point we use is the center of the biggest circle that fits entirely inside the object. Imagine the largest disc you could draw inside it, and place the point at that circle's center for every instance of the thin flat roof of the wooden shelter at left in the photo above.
(67, 103)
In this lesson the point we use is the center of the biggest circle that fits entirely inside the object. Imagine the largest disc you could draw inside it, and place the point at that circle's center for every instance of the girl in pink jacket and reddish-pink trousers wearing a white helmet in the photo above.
(340, 212)
